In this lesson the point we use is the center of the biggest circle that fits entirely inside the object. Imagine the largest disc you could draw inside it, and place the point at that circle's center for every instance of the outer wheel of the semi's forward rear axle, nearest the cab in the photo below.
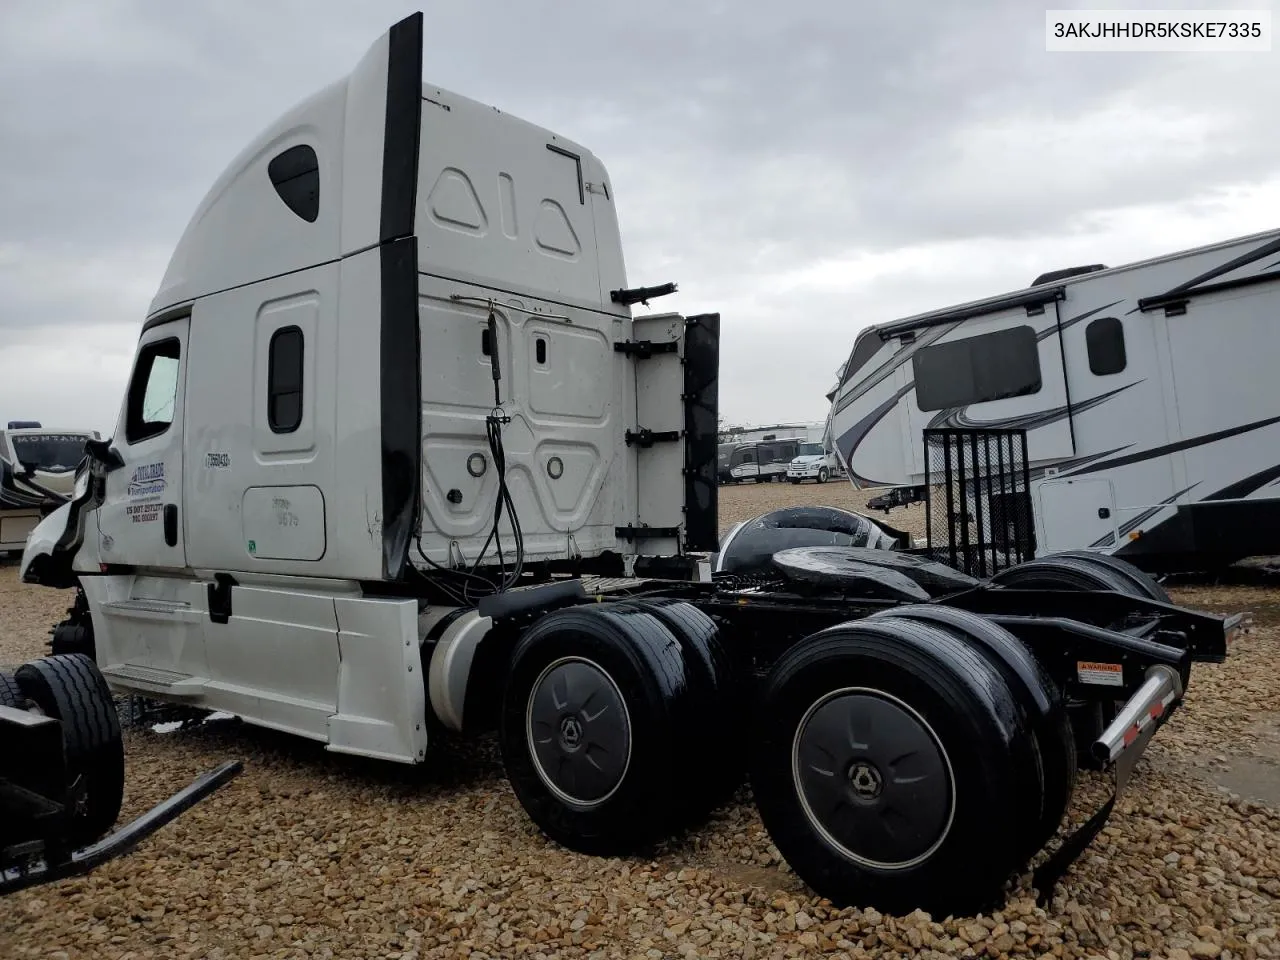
(595, 723)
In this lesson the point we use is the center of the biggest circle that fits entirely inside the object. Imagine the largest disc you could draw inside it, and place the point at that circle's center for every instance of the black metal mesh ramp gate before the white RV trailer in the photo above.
(977, 500)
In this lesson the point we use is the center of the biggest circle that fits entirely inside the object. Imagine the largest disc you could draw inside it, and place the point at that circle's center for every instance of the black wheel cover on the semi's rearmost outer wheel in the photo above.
(874, 779)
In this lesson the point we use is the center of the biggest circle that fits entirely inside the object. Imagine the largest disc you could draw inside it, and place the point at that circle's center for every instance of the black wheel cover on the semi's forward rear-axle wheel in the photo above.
(579, 732)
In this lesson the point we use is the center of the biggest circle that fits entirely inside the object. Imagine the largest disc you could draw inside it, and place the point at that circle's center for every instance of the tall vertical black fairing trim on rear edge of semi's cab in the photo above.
(400, 351)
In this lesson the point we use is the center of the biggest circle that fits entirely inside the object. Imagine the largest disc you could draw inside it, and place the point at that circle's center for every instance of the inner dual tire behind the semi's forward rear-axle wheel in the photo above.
(719, 748)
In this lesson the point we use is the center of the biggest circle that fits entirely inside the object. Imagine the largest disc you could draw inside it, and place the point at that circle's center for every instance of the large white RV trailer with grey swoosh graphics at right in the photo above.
(1148, 392)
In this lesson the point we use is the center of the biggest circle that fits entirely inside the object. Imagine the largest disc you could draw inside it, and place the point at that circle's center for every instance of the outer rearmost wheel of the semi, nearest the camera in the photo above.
(838, 714)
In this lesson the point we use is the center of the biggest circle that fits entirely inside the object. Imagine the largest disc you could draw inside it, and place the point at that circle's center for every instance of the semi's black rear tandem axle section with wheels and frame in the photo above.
(900, 756)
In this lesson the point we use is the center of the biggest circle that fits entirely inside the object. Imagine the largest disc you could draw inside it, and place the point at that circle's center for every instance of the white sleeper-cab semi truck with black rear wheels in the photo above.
(397, 460)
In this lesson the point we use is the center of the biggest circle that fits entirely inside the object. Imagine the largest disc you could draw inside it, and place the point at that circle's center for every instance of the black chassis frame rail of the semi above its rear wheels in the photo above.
(1153, 644)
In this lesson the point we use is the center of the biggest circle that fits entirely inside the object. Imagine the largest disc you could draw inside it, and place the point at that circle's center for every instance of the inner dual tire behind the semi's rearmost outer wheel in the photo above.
(1044, 706)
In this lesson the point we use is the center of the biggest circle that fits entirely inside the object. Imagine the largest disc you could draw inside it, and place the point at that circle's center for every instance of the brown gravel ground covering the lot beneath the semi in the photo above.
(316, 856)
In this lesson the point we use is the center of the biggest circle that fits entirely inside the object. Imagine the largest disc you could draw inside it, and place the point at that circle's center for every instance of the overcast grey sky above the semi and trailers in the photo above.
(803, 168)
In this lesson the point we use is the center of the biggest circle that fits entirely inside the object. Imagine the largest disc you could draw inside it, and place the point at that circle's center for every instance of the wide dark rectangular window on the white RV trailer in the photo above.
(977, 369)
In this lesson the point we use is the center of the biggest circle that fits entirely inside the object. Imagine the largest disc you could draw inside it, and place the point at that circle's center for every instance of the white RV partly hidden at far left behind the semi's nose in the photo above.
(38, 468)
